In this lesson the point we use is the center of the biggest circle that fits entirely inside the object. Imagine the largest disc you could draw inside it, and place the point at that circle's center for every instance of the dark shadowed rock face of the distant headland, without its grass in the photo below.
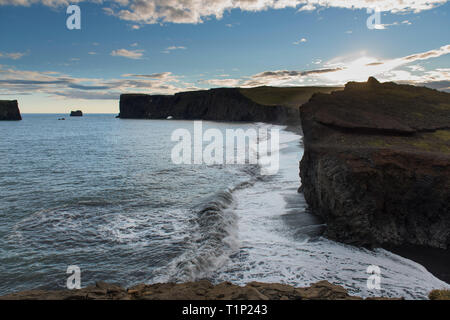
(225, 104)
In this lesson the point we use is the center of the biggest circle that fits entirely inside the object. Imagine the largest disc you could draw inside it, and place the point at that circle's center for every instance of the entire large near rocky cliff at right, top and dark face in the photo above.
(376, 165)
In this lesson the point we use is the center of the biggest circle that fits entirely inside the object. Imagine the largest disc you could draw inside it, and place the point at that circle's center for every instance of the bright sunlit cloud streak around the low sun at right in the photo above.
(340, 70)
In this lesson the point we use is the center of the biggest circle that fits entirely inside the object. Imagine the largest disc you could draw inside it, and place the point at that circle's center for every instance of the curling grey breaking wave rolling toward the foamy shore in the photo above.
(214, 232)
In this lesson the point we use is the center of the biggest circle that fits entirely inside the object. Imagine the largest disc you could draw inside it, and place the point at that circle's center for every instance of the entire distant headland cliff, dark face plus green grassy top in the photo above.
(262, 104)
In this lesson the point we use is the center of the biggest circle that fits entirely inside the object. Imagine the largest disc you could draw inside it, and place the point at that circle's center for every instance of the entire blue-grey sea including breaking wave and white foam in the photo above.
(103, 194)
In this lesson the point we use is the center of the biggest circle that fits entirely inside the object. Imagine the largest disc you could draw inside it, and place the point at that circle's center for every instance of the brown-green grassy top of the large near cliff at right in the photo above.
(380, 115)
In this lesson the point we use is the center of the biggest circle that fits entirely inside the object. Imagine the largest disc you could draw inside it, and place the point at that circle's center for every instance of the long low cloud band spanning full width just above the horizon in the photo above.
(337, 71)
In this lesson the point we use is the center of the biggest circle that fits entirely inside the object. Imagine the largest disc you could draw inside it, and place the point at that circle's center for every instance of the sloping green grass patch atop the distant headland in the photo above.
(287, 96)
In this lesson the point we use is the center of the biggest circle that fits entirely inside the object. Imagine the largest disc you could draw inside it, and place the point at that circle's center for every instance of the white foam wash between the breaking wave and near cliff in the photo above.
(270, 249)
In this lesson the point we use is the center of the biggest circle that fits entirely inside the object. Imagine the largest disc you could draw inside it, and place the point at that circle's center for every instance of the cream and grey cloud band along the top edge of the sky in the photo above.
(197, 11)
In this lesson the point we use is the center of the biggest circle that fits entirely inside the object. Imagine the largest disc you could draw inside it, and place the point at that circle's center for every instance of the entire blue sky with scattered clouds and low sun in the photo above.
(167, 46)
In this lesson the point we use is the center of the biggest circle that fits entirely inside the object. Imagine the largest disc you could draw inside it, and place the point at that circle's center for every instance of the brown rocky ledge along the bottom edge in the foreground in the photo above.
(200, 290)
